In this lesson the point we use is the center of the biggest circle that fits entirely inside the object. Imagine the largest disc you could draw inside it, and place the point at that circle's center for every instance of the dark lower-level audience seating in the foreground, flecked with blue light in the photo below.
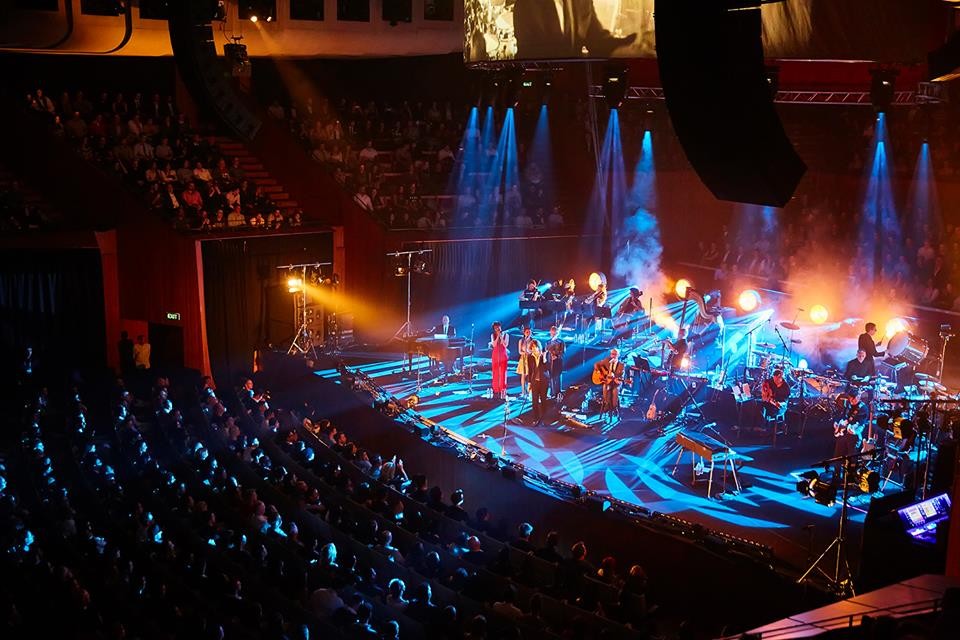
(195, 513)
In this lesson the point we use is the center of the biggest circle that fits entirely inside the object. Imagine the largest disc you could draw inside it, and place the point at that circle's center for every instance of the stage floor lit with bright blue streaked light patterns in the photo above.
(633, 459)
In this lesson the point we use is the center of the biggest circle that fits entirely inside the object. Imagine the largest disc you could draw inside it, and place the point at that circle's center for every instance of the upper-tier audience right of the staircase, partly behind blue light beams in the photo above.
(403, 162)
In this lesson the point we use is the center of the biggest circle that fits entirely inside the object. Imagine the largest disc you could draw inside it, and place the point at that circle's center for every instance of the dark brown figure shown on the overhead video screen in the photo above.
(561, 29)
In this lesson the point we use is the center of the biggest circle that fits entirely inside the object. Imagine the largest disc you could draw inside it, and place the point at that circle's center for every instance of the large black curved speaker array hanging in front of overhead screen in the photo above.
(718, 95)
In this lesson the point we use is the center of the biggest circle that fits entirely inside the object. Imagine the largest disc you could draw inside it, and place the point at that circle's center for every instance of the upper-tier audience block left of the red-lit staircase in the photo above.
(183, 174)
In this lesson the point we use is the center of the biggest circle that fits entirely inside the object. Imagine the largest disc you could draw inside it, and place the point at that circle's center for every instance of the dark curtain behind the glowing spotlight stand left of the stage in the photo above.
(246, 300)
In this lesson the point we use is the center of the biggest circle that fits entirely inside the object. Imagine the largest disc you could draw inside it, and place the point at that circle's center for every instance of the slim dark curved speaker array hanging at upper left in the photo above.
(207, 76)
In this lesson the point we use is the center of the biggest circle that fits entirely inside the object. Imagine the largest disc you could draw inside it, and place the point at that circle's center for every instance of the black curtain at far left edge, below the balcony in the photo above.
(53, 301)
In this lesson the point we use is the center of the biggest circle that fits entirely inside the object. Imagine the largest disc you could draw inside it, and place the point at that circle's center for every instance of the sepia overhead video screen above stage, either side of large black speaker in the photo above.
(885, 30)
